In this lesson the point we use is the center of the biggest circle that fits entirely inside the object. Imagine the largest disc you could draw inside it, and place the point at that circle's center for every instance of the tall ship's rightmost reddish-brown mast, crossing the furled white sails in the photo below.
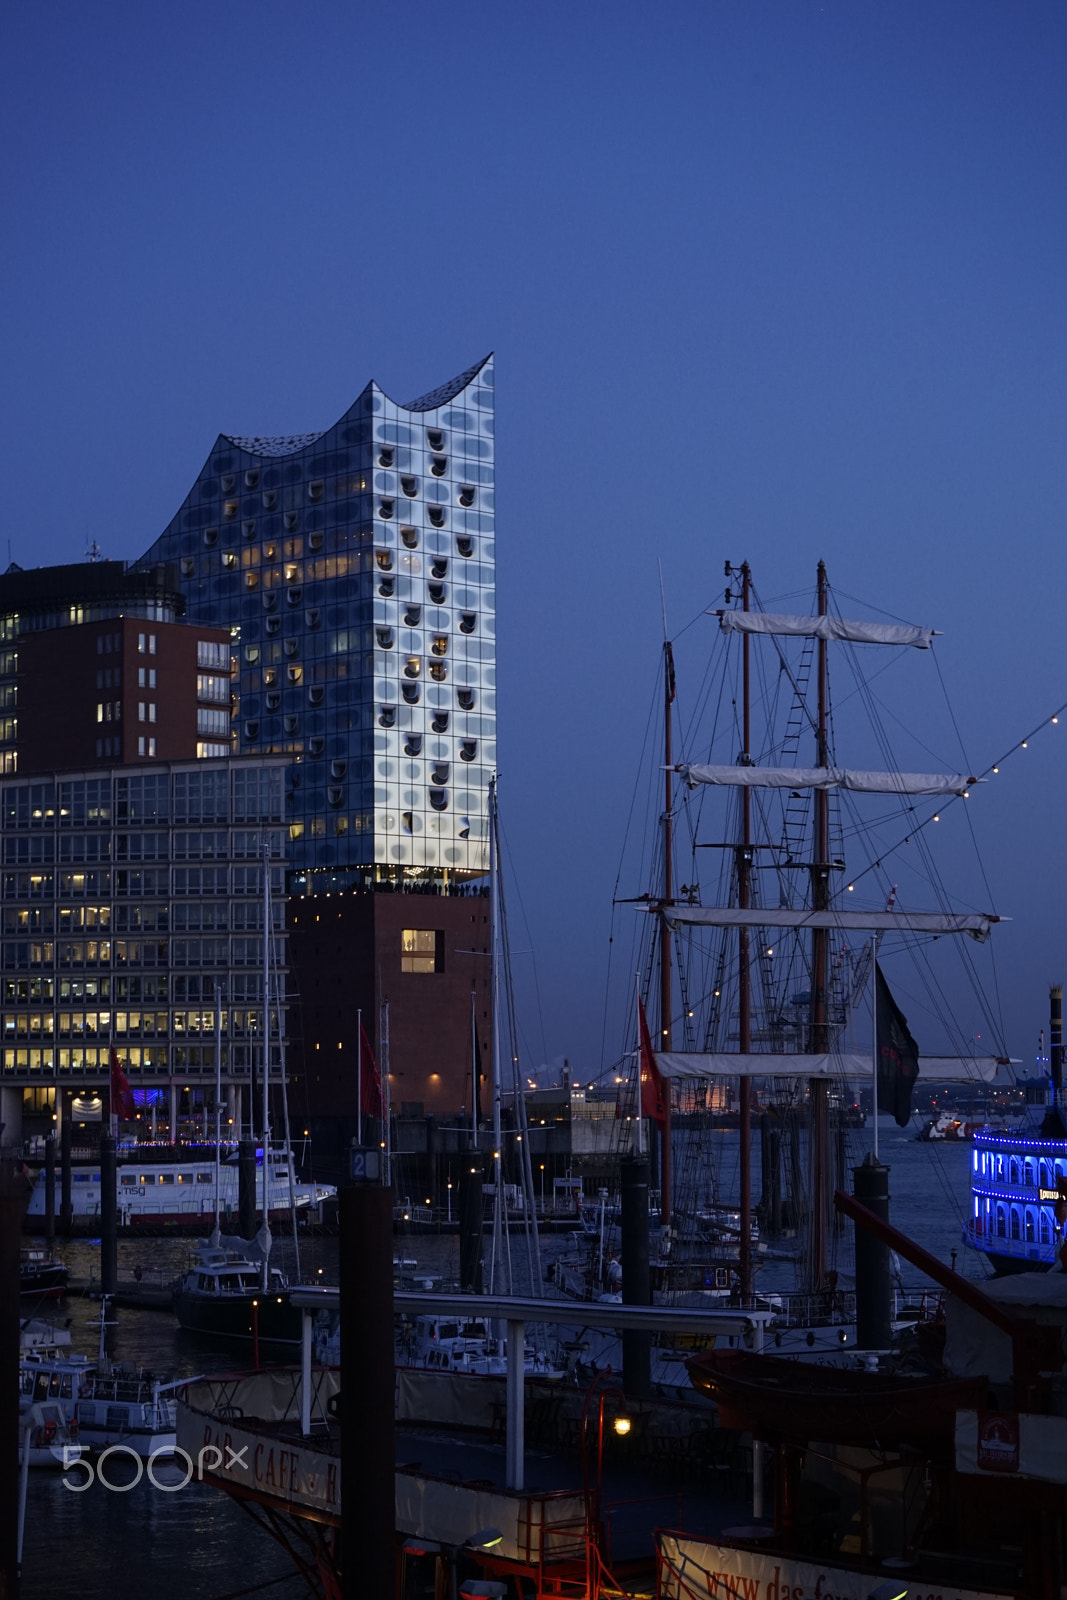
(820, 1042)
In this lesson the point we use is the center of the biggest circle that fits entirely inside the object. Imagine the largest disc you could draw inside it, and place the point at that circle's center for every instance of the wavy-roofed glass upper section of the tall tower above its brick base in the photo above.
(358, 570)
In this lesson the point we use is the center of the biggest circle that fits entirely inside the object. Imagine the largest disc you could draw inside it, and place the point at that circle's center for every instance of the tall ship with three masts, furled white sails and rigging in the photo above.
(810, 894)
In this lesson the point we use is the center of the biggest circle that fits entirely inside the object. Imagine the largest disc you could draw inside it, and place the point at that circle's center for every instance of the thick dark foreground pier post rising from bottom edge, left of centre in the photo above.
(369, 1462)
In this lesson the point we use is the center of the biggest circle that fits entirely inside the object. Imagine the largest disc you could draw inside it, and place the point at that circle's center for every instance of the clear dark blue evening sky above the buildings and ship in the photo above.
(769, 281)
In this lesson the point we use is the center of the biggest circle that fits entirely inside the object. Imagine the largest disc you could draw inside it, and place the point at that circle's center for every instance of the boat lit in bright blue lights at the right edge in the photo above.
(1020, 1178)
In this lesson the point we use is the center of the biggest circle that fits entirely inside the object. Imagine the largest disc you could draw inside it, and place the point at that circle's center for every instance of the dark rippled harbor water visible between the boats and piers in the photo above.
(194, 1543)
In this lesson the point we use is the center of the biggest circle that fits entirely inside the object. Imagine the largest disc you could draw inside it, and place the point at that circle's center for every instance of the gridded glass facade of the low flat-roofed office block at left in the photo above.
(126, 898)
